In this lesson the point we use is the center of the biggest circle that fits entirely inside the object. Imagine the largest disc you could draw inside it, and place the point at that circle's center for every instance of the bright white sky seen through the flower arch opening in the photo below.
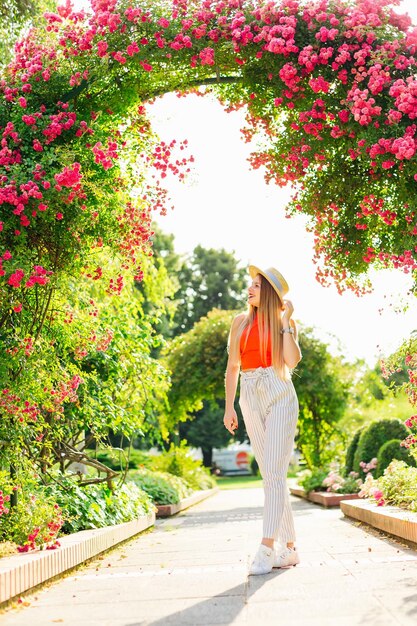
(226, 205)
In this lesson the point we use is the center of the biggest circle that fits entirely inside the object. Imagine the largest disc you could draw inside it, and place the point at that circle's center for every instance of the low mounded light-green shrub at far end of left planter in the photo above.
(162, 487)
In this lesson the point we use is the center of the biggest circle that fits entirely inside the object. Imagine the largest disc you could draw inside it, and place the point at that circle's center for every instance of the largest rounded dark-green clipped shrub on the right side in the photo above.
(373, 437)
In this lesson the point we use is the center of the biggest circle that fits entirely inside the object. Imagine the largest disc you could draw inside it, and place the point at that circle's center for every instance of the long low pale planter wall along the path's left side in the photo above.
(21, 572)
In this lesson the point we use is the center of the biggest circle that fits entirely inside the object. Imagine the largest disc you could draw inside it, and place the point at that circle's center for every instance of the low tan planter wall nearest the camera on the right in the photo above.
(390, 519)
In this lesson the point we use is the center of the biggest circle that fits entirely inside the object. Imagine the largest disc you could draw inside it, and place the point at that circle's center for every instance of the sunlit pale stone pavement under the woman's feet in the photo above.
(192, 570)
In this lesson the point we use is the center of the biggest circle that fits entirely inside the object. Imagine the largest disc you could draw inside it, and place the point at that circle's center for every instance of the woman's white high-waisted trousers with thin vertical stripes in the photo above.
(270, 412)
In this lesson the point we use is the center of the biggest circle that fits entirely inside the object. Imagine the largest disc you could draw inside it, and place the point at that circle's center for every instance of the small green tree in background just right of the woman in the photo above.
(322, 382)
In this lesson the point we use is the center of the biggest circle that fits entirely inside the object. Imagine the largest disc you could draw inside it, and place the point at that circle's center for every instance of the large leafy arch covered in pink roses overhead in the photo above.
(331, 93)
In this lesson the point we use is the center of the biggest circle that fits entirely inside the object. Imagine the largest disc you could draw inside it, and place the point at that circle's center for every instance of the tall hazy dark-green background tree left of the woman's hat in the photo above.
(208, 279)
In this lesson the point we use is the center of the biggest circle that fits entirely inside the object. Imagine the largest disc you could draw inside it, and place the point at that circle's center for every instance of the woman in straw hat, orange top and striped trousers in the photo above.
(263, 345)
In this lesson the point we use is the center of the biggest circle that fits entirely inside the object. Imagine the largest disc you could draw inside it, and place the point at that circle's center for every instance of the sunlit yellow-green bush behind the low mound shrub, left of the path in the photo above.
(178, 461)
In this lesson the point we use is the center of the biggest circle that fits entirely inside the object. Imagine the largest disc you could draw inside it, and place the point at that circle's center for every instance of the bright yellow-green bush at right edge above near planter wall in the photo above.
(399, 485)
